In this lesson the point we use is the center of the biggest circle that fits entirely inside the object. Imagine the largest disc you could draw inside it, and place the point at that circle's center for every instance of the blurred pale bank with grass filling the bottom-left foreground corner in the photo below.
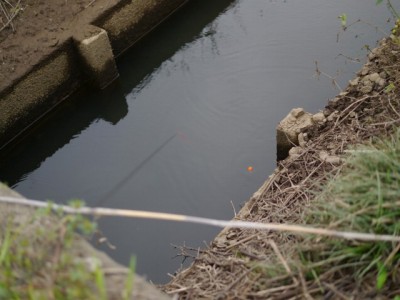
(25, 223)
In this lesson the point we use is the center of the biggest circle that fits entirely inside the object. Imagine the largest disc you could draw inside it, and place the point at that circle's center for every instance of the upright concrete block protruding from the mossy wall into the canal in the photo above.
(96, 53)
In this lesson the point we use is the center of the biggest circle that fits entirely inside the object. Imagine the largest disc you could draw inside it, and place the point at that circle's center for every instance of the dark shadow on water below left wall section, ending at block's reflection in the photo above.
(57, 130)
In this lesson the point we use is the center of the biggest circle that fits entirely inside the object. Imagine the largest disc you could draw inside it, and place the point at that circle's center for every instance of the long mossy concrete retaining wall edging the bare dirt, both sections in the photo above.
(60, 73)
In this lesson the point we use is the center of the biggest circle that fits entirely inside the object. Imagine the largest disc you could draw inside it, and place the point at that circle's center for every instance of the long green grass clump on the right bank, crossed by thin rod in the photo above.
(365, 197)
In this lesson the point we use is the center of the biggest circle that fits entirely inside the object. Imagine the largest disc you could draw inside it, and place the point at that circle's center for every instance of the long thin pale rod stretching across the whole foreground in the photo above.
(101, 211)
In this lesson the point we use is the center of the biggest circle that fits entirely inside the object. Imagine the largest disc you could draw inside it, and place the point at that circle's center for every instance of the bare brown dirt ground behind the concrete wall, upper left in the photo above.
(38, 27)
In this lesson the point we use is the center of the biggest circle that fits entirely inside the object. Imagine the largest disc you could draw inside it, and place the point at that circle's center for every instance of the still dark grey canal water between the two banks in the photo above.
(196, 104)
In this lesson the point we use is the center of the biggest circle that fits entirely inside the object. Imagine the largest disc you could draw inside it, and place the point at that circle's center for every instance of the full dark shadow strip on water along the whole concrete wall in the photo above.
(87, 106)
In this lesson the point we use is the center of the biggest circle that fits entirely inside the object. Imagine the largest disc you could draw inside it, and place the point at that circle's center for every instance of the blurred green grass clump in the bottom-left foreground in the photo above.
(40, 258)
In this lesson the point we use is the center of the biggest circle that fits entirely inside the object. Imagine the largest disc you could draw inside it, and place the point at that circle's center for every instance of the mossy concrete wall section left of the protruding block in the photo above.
(38, 91)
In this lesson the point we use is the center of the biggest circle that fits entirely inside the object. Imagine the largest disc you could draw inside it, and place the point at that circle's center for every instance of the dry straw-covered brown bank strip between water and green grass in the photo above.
(232, 266)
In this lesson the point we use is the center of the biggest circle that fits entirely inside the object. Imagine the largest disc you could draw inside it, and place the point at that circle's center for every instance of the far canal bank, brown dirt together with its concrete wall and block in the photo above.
(69, 45)
